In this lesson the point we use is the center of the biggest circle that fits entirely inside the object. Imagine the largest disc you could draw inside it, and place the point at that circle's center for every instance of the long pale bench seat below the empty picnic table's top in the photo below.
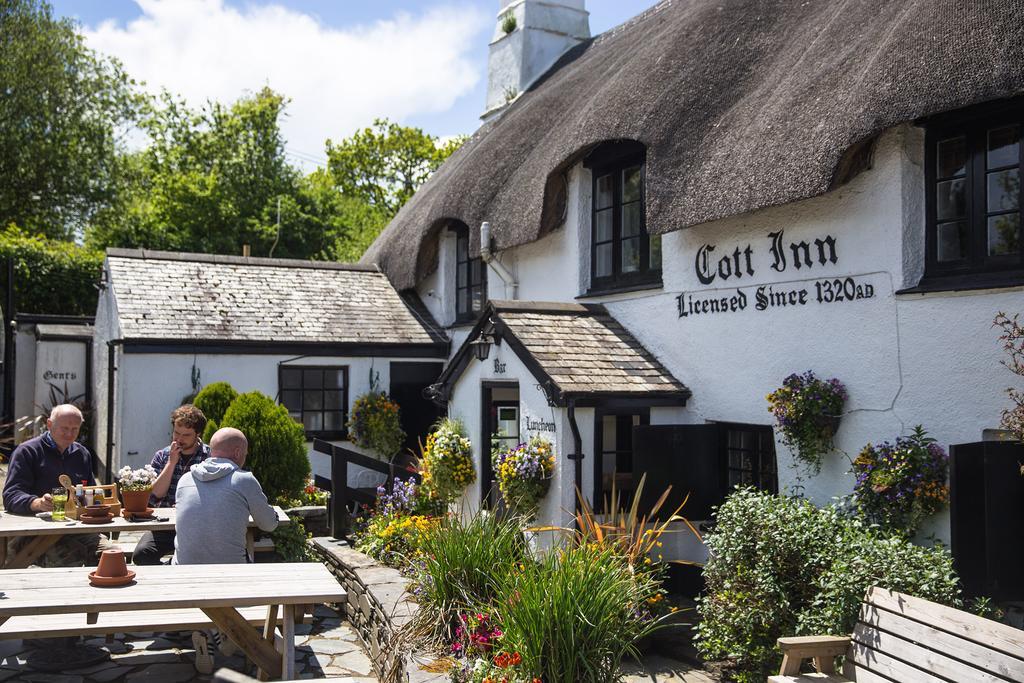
(154, 621)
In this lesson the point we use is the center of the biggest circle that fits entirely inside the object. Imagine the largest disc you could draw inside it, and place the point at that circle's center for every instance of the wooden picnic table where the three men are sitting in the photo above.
(47, 533)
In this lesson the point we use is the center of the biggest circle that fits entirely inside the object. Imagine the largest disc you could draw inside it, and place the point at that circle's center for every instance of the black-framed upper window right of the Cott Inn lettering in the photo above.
(973, 214)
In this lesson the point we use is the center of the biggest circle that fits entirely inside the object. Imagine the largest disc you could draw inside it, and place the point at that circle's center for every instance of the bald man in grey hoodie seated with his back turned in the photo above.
(215, 501)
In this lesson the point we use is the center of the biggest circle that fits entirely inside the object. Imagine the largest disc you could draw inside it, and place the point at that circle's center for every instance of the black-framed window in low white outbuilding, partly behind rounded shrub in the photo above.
(317, 397)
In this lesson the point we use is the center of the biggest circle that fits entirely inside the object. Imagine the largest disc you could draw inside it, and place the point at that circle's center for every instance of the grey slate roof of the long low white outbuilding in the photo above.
(207, 298)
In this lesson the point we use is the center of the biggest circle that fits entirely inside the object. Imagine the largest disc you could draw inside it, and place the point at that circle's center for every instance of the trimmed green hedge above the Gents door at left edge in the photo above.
(51, 277)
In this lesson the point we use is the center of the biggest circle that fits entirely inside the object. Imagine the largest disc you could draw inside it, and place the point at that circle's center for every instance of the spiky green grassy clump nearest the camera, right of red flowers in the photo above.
(576, 615)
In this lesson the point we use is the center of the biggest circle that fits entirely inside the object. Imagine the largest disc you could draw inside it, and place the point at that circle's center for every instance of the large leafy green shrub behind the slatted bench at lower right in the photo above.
(781, 567)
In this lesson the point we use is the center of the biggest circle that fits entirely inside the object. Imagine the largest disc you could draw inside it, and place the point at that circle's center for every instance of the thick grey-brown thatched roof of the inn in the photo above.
(741, 104)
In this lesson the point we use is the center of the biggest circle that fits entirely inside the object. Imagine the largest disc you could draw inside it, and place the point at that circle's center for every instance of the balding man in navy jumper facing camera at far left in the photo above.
(35, 469)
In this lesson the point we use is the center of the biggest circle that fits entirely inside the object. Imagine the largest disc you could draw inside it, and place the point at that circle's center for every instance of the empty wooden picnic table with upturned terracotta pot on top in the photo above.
(217, 589)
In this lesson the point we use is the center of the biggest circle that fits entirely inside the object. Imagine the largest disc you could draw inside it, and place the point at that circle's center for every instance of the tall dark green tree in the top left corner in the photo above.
(61, 112)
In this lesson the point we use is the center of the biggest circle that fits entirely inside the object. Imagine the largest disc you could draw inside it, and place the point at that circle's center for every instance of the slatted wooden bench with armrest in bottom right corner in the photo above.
(903, 638)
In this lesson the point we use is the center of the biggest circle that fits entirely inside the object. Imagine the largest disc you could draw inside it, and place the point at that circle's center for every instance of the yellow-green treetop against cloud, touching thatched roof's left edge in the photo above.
(386, 164)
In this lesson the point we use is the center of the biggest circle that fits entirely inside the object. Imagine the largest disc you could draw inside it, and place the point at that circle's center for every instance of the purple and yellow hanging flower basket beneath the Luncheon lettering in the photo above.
(525, 475)
